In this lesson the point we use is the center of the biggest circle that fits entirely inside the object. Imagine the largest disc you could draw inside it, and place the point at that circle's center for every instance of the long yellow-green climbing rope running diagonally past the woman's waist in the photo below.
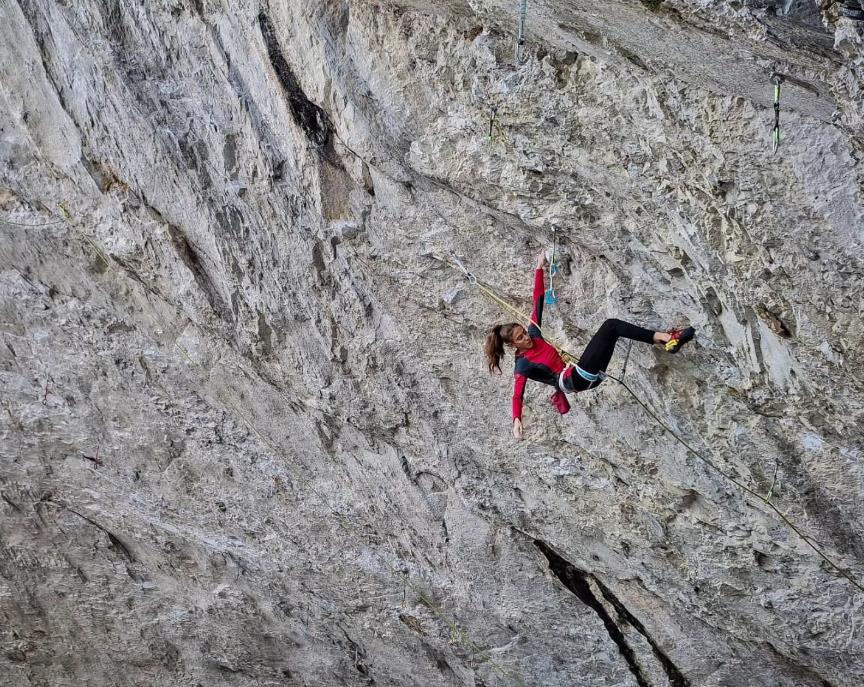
(569, 358)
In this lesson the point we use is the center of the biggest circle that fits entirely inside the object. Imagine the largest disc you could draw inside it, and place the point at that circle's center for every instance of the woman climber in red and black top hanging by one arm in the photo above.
(536, 359)
